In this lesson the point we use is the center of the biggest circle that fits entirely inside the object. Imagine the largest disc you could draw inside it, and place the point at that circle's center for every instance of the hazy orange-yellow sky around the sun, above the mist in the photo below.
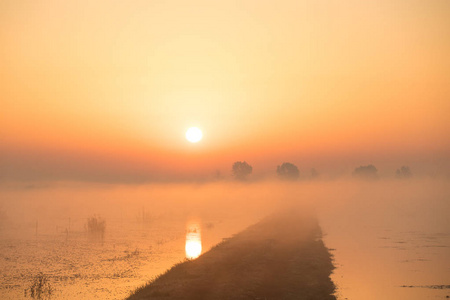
(105, 90)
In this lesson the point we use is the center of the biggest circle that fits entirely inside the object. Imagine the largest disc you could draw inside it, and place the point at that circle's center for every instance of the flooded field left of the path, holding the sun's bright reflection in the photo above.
(48, 231)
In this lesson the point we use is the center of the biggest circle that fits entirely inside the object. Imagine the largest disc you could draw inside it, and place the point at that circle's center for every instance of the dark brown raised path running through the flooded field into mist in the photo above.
(281, 257)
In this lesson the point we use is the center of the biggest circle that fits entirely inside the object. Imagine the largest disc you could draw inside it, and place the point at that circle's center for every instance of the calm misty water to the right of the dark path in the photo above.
(391, 243)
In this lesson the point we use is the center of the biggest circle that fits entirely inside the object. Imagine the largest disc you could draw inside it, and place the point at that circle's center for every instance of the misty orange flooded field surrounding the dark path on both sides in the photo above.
(385, 233)
